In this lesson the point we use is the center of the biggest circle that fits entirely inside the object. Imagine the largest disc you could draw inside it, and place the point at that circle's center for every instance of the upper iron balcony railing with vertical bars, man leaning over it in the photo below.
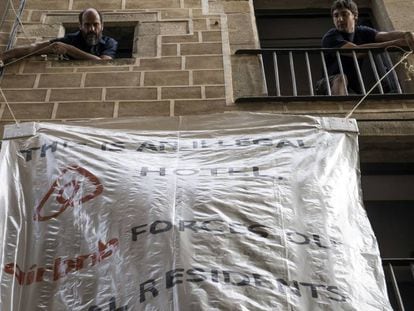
(291, 74)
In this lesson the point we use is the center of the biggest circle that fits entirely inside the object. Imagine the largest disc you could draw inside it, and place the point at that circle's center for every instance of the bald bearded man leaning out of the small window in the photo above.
(88, 43)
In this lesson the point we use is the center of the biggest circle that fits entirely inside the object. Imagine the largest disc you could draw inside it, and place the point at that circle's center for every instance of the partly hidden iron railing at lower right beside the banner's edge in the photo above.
(399, 273)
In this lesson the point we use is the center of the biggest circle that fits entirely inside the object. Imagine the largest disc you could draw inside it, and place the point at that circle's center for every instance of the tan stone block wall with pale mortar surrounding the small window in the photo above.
(178, 65)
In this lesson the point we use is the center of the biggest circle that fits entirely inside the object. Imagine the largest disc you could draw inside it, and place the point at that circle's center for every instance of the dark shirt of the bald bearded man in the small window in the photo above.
(106, 45)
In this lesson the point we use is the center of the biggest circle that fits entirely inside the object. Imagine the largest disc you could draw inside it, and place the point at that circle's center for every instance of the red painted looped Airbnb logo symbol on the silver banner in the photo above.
(67, 194)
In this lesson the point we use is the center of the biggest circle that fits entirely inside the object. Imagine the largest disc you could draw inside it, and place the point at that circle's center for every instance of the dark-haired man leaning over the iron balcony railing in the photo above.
(347, 34)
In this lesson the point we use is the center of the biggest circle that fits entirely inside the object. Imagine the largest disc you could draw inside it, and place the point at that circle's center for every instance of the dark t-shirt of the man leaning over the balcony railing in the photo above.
(336, 39)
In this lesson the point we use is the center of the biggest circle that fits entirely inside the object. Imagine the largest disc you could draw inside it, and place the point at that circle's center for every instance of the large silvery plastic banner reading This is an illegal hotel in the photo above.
(220, 212)
